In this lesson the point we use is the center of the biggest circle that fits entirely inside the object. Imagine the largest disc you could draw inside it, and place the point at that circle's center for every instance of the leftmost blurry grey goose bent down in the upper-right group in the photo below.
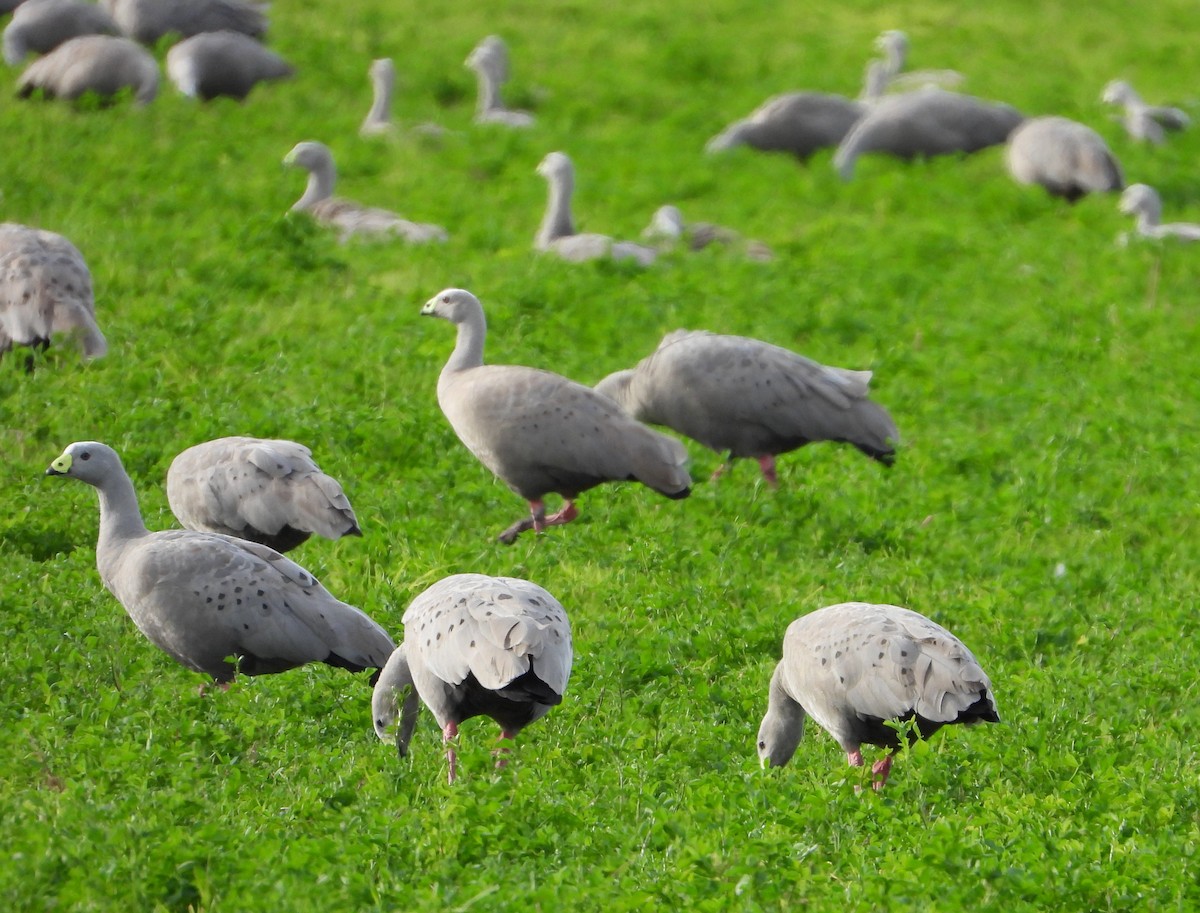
(796, 123)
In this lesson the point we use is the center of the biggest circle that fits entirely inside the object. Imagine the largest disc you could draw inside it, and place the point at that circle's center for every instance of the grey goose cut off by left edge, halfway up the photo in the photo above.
(45, 289)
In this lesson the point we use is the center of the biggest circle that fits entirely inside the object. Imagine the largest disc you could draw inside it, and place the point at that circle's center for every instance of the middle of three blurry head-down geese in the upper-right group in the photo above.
(926, 123)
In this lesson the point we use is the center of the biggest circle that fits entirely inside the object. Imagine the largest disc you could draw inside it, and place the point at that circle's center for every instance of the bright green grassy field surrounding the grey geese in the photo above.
(1043, 506)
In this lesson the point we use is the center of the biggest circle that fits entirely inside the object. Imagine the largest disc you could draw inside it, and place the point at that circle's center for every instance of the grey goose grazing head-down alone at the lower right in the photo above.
(855, 666)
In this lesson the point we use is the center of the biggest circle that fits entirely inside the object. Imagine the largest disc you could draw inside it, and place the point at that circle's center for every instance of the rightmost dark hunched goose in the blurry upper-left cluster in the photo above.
(223, 63)
